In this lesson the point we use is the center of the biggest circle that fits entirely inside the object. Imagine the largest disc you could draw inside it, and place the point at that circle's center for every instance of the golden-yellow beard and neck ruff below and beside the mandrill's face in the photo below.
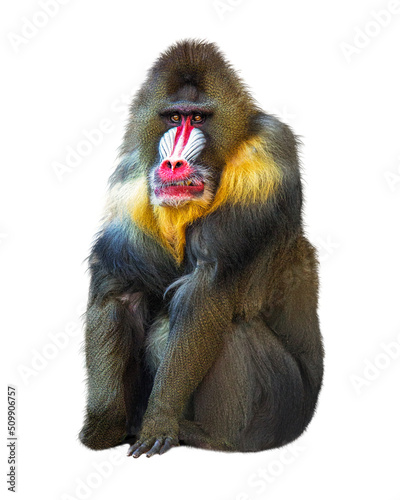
(249, 176)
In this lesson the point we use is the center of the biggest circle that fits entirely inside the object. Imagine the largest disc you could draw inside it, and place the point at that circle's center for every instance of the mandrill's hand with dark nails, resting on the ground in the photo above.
(156, 436)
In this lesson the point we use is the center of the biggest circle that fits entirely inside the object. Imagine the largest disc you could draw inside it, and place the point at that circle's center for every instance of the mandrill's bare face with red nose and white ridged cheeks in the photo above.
(178, 176)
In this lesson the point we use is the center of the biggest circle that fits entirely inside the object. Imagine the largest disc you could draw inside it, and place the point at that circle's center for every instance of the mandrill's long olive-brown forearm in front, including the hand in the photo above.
(199, 316)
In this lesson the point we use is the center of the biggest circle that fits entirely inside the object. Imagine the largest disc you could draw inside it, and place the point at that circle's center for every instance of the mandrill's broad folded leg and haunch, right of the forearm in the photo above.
(253, 397)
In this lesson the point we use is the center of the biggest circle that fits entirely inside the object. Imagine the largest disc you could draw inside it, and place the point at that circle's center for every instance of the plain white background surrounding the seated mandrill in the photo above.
(80, 68)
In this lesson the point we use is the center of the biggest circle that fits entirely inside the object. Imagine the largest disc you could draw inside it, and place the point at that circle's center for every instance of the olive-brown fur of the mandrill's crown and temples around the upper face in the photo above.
(190, 77)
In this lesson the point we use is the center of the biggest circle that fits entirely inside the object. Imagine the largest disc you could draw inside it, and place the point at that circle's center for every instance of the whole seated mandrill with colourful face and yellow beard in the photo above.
(202, 326)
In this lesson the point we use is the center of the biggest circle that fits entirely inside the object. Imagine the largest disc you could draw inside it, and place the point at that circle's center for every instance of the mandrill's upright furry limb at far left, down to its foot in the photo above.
(116, 383)
